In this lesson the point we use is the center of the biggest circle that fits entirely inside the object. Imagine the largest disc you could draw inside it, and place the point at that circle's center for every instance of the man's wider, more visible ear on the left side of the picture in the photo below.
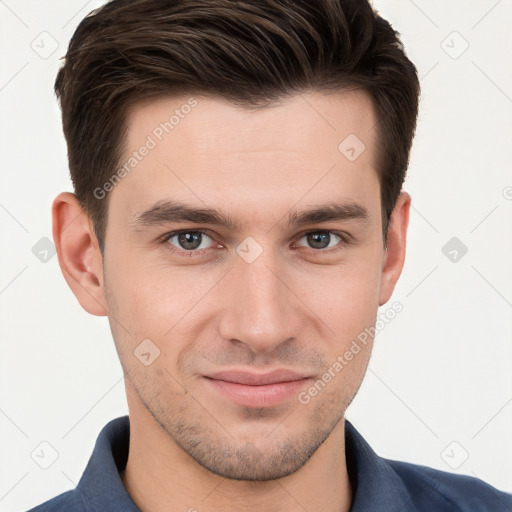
(78, 251)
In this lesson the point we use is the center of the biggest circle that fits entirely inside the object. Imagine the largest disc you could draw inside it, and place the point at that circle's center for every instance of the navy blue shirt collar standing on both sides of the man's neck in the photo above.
(374, 483)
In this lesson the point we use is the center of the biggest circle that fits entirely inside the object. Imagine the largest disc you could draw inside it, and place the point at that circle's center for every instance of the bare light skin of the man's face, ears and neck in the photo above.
(293, 307)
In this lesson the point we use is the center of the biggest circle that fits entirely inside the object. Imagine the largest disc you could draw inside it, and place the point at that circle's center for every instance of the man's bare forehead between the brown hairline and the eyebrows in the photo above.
(311, 148)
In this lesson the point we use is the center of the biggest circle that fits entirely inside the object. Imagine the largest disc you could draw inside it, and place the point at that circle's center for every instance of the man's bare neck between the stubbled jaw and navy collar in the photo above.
(160, 475)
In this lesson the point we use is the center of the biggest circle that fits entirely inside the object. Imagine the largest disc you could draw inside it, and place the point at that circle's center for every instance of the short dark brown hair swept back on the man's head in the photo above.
(251, 52)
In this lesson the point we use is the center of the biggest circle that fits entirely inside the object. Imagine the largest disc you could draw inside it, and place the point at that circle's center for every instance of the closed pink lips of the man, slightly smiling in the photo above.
(257, 389)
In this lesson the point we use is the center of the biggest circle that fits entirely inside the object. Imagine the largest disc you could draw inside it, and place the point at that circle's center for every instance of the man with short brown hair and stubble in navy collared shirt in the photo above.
(238, 216)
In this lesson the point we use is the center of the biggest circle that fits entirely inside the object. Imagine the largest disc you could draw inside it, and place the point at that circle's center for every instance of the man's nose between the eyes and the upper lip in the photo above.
(259, 306)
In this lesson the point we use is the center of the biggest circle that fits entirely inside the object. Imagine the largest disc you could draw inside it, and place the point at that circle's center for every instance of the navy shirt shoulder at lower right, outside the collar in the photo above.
(450, 492)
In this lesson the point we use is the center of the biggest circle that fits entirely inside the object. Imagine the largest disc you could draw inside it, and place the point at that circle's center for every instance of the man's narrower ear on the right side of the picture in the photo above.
(394, 256)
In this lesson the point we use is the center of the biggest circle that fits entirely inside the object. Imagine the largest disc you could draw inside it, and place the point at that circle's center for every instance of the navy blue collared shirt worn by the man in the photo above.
(379, 485)
